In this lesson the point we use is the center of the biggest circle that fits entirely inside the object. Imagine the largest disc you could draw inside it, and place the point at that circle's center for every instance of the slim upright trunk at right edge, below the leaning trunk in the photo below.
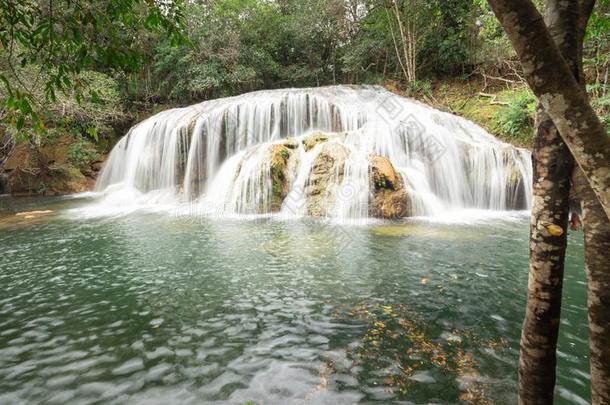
(597, 260)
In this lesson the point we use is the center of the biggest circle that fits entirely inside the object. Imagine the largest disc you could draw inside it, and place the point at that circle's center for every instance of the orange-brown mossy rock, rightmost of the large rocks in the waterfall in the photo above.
(389, 198)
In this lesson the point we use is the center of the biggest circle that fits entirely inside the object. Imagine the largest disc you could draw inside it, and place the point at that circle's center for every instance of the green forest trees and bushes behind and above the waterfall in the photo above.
(90, 69)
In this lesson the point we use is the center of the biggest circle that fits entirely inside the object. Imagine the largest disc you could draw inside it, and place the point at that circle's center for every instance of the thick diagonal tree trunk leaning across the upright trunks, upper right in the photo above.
(550, 78)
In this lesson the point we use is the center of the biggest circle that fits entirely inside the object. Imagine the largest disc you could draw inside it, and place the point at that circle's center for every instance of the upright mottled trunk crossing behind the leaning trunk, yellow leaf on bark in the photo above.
(552, 172)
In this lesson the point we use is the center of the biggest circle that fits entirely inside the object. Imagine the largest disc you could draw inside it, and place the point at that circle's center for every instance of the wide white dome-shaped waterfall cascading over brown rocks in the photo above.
(310, 151)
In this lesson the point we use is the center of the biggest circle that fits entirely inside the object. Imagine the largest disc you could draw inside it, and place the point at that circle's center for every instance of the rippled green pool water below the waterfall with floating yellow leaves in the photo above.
(152, 308)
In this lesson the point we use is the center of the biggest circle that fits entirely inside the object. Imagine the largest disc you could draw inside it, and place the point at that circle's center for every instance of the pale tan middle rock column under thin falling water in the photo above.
(326, 173)
